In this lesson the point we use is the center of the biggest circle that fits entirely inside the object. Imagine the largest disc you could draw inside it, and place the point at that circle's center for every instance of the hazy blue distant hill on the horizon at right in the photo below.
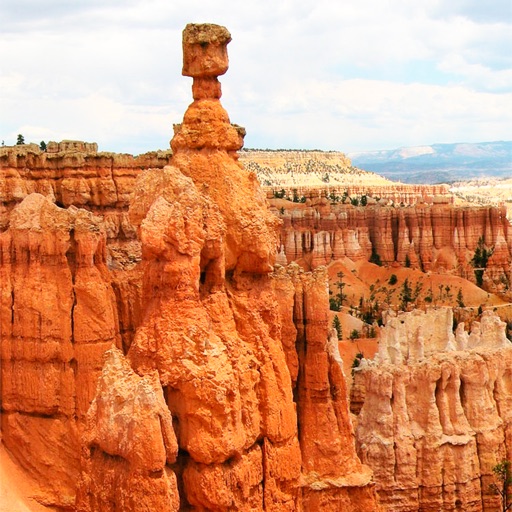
(439, 163)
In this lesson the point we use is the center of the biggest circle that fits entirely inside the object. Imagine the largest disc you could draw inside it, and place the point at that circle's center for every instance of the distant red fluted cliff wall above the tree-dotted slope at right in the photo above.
(441, 238)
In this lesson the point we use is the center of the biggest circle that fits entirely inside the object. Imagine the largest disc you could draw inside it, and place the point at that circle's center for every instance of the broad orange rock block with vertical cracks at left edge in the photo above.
(58, 316)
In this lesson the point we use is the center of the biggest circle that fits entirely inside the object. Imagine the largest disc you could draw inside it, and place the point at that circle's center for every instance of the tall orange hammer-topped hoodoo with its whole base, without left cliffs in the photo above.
(213, 363)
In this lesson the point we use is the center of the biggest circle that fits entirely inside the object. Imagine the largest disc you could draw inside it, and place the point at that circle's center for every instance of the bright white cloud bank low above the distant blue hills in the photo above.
(353, 114)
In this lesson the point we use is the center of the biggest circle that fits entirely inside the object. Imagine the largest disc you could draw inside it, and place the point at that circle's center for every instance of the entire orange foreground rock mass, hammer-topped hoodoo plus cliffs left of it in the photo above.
(201, 377)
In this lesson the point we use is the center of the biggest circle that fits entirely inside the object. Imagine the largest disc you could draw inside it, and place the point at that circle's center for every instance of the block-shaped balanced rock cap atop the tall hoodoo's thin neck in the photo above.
(205, 50)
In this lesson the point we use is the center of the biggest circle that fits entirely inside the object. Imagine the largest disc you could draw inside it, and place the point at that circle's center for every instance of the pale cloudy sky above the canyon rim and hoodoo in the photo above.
(304, 74)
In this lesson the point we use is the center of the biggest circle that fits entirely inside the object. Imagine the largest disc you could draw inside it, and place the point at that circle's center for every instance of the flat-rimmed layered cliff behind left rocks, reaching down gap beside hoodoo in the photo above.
(74, 174)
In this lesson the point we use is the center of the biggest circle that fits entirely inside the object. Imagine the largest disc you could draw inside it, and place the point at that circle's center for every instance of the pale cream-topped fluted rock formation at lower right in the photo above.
(436, 419)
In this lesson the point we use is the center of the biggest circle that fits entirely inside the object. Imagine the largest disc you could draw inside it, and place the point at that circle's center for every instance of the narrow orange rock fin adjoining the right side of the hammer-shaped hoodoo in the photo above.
(335, 478)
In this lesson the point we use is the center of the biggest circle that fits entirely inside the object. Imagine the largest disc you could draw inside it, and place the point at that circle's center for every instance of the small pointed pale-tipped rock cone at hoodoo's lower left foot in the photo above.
(130, 441)
